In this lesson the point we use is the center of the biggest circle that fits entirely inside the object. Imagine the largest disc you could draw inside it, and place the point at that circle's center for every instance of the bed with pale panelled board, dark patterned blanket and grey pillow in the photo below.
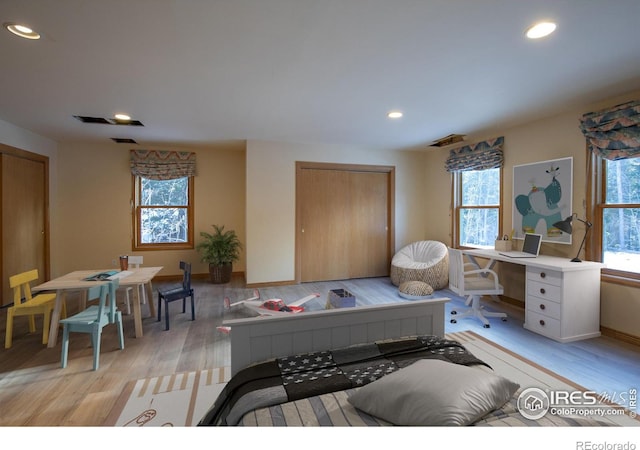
(366, 366)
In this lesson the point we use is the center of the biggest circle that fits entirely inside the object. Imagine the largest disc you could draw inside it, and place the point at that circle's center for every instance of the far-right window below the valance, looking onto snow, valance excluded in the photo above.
(617, 216)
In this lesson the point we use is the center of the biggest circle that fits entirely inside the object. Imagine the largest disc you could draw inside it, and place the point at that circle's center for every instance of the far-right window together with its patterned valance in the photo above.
(613, 189)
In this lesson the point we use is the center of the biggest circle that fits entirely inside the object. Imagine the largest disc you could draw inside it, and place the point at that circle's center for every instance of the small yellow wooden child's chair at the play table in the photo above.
(24, 304)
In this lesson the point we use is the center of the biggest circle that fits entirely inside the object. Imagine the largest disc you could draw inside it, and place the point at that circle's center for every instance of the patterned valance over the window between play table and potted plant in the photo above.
(162, 165)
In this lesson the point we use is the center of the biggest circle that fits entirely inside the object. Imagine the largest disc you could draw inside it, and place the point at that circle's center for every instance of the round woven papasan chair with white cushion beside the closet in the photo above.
(426, 261)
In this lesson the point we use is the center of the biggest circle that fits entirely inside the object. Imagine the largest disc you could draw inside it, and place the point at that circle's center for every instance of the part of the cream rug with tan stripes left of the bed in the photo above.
(171, 400)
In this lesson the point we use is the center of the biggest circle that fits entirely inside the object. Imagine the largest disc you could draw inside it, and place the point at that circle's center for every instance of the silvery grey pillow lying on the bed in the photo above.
(434, 392)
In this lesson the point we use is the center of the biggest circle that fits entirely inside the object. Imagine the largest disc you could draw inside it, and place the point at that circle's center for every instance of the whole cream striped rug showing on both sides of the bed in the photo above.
(183, 399)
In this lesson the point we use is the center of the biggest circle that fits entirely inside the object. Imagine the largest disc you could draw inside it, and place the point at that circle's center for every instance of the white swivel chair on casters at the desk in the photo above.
(467, 280)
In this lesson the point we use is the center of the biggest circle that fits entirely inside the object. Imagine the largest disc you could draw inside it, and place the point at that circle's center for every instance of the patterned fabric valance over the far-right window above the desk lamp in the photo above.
(614, 133)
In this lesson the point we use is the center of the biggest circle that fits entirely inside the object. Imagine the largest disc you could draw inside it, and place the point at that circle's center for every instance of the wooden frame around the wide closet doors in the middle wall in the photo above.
(391, 199)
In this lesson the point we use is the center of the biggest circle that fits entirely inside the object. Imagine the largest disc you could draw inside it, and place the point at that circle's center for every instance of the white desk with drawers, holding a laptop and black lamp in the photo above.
(562, 298)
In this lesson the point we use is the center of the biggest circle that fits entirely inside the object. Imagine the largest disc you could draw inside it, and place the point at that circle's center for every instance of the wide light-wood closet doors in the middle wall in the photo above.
(343, 217)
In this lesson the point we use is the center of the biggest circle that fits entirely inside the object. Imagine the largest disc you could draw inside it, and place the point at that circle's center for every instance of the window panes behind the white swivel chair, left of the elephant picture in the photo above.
(477, 212)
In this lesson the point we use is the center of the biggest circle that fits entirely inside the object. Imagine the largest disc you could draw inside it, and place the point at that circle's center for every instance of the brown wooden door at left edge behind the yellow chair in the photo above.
(24, 220)
